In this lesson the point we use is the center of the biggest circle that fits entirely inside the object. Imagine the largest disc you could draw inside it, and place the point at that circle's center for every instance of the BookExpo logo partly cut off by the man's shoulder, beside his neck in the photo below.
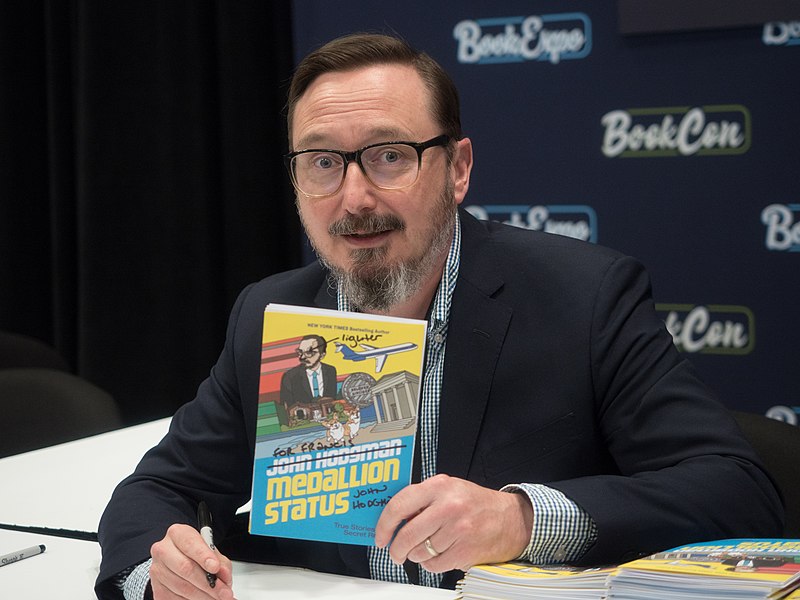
(572, 220)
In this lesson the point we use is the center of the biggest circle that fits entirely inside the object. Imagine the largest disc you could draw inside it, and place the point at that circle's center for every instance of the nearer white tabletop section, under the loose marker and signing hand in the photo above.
(68, 568)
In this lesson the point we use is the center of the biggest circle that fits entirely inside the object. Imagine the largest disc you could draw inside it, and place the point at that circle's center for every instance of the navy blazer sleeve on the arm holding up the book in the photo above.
(685, 471)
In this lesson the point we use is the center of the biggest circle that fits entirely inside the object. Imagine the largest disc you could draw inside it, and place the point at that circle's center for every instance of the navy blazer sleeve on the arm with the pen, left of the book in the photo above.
(206, 454)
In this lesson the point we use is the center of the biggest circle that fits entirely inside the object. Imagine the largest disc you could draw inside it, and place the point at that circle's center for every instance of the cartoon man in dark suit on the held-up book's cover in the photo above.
(303, 386)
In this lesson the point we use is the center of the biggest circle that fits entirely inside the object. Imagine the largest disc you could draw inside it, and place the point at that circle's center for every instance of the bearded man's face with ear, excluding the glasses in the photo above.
(361, 229)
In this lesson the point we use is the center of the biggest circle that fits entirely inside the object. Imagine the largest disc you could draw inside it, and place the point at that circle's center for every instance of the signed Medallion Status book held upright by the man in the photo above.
(337, 421)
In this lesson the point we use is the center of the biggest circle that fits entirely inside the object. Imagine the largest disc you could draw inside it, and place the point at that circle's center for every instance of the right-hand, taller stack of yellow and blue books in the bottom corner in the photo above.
(734, 568)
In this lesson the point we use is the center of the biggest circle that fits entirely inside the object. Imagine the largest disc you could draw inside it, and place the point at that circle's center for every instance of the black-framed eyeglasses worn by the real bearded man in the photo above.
(387, 166)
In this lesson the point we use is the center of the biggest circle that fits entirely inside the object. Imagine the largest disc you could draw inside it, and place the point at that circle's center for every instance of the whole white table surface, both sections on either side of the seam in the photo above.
(68, 486)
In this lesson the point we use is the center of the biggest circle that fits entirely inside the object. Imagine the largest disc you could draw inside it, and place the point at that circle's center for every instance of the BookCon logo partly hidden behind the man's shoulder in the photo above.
(710, 329)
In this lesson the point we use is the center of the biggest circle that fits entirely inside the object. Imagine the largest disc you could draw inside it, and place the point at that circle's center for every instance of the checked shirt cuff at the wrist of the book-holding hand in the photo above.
(562, 531)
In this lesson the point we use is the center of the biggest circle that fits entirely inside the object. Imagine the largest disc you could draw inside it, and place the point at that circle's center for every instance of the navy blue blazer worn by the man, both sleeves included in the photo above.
(557, 370)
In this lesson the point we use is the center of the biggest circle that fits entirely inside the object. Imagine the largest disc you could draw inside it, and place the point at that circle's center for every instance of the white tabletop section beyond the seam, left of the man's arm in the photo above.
(68, 486)
